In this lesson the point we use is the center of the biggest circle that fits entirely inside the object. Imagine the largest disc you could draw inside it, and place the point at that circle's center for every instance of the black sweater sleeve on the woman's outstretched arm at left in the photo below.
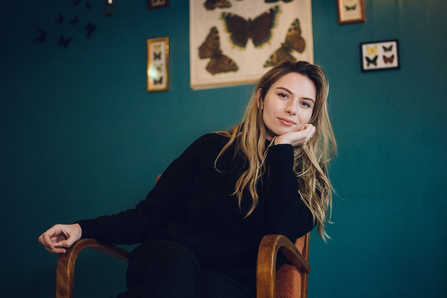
(162, 205)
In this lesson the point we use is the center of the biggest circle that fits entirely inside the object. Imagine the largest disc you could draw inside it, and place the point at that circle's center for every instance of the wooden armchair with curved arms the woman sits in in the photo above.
(289, 282)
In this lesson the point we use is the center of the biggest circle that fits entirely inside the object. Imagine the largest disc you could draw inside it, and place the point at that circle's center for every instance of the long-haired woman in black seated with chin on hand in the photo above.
(201, 225)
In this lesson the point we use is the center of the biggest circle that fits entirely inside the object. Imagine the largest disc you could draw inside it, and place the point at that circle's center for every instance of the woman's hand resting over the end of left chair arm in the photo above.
(59, 237)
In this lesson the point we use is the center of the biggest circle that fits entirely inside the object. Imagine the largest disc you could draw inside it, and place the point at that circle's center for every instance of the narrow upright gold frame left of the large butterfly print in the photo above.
(158, 64)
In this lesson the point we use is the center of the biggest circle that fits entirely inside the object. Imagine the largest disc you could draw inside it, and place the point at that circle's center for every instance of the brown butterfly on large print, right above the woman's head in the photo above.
(294, 41)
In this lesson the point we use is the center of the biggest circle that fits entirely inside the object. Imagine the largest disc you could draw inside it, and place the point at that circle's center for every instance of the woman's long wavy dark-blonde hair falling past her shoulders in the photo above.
(310, 160)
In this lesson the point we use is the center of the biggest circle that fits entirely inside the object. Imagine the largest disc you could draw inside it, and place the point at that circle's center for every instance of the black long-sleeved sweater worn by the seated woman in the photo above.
(193, 204)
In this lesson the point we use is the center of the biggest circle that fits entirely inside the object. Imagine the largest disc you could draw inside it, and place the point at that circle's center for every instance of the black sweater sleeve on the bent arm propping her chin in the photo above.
(286, 212)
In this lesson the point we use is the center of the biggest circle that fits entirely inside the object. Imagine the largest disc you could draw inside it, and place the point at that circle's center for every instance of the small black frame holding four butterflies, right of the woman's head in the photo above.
(379, 55)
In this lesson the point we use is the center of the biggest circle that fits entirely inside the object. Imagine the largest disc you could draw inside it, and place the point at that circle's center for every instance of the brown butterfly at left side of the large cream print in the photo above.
(210, 48)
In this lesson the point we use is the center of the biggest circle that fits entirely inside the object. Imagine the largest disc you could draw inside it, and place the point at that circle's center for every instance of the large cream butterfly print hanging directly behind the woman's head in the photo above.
(235, 42)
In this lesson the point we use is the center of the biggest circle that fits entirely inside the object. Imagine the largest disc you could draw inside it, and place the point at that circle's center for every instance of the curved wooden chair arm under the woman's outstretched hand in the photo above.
(66, 263)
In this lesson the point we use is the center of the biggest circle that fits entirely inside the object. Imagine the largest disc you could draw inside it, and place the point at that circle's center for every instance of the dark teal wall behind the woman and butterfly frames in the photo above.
(81, 137)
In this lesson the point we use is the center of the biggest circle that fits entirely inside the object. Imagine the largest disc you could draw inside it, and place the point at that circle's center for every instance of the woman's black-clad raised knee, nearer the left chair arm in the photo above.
(162, 268)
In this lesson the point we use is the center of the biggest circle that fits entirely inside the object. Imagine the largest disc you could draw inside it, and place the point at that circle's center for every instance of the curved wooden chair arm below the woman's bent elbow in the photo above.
(266, 267)
